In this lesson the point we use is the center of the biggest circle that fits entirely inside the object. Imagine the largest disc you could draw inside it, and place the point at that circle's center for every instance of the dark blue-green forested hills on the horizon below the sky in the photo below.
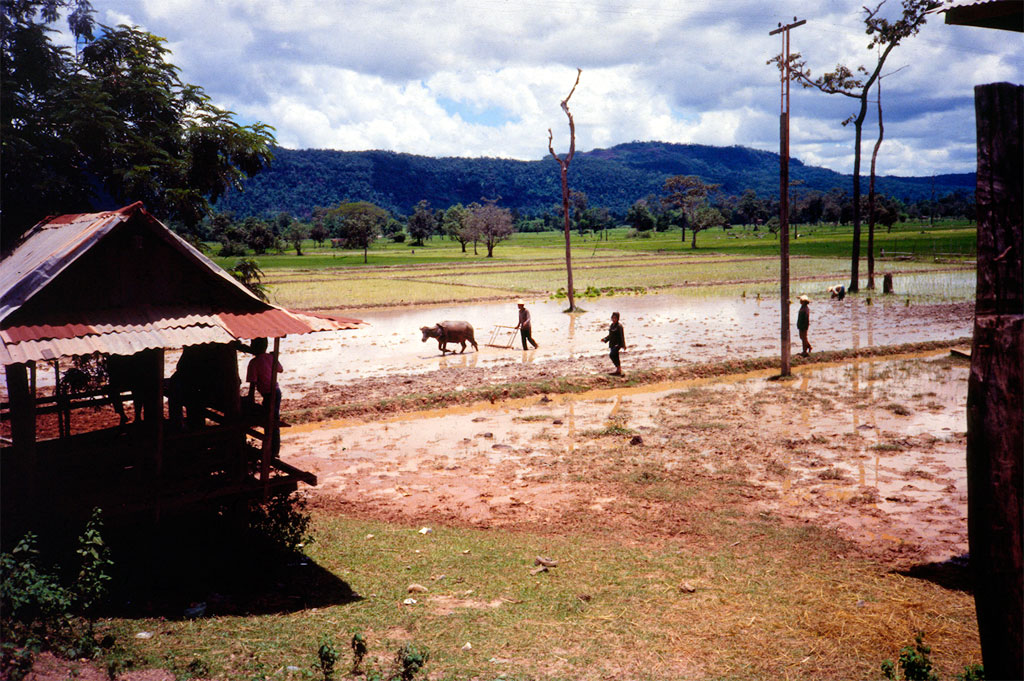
(613, 178)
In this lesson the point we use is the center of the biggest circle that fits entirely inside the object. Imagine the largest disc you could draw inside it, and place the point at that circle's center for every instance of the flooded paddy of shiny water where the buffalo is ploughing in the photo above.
(663, 329)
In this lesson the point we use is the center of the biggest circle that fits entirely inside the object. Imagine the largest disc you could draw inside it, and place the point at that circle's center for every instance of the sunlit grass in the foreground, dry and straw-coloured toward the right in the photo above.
(779, 598)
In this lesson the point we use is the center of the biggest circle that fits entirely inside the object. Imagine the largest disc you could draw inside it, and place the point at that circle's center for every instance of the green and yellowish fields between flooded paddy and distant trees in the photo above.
(534, 265)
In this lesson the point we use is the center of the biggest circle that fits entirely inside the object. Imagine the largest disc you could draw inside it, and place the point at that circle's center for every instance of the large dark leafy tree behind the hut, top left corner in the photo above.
(109, 124)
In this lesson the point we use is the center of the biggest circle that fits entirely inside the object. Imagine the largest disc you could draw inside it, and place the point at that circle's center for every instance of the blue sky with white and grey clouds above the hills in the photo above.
(486, 78)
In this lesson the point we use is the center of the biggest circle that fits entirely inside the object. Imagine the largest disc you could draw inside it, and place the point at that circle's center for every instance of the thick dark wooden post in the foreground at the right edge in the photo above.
(996, 404)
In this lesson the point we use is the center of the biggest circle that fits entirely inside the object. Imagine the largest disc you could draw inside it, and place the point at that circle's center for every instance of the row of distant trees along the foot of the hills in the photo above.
(687, 204)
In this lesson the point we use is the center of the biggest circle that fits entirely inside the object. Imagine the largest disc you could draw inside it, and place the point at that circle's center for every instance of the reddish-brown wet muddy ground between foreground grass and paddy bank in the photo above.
(872, 449)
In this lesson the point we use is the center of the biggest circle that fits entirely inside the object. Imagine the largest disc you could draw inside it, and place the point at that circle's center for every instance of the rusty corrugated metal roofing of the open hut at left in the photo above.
(52, 246)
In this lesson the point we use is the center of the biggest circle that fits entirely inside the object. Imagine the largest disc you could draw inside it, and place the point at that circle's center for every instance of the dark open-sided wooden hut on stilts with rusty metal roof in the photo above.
(121, 288)
